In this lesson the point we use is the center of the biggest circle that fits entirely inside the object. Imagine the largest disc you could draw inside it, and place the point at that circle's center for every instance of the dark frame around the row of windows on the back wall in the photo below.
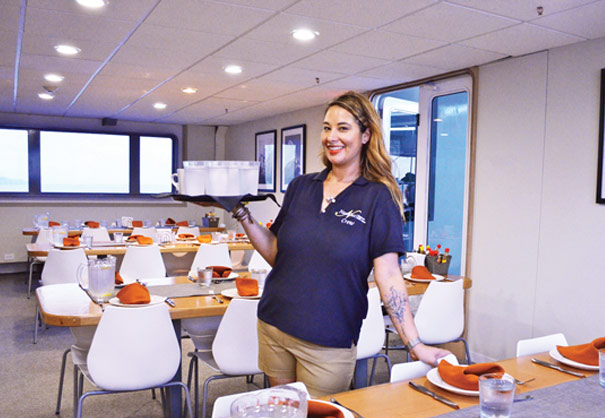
(35, 192)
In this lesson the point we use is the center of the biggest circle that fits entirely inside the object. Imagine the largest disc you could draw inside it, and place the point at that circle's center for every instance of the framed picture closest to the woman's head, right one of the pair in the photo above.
(292, 154)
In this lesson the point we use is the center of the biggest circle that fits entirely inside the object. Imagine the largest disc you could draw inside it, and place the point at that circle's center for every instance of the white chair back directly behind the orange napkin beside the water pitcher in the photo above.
(142, 263)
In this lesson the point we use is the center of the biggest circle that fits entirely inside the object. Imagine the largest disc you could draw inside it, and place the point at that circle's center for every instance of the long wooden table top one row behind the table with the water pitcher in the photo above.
(41, 250)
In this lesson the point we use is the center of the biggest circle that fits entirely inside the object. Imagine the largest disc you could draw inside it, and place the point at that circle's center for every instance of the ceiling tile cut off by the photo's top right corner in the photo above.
(587, 21)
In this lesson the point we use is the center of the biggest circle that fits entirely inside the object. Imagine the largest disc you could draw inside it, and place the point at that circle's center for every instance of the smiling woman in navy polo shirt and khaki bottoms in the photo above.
(333, 228)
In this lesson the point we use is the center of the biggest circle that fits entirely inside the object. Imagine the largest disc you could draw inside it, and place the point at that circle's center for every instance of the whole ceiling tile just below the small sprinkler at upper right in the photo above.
(521, 39)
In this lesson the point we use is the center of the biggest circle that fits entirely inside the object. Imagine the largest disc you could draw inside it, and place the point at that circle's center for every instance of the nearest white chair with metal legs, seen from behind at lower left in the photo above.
(149, 354)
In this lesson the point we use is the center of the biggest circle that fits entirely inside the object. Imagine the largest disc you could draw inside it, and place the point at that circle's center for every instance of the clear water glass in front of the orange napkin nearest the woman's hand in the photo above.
(496, 394)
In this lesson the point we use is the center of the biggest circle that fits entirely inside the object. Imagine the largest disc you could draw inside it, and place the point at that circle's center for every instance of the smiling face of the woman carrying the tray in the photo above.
(341, 138)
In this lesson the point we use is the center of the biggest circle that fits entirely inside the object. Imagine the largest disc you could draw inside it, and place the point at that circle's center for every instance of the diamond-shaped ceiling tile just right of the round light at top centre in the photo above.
(386, 45)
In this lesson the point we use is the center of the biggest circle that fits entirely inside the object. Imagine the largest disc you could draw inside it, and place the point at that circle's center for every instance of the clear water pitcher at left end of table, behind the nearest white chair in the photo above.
(99, 279)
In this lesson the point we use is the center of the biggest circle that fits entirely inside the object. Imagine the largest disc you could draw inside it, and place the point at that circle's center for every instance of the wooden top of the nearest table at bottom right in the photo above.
(399, 400)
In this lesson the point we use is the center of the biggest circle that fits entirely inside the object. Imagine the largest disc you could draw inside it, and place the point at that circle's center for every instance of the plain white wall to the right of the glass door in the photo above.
(537, 231)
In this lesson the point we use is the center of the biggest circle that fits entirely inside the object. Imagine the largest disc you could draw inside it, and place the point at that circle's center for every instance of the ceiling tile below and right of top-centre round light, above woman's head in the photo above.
(339, 62)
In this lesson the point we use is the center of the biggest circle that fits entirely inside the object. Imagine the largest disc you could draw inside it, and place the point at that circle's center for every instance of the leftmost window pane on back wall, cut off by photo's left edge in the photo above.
(14, 170)
